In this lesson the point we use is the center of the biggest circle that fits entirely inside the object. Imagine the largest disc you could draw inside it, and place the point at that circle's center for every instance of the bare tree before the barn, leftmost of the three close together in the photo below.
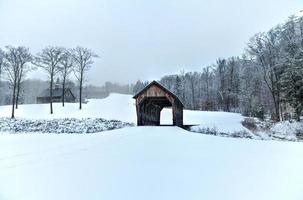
(49, 60)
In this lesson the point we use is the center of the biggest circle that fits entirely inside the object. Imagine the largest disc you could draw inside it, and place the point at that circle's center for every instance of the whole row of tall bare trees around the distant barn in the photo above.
(17, 62)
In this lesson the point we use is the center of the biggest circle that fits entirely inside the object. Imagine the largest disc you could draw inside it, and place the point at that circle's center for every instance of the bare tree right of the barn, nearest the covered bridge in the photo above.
(83, 58)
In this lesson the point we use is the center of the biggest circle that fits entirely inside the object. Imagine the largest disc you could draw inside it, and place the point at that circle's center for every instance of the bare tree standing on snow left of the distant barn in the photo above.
(14, 66)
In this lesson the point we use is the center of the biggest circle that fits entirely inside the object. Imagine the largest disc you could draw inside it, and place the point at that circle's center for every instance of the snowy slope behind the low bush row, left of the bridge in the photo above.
(116, 106)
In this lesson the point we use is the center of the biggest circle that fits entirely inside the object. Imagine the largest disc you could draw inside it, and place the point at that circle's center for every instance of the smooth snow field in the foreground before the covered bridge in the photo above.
(148, 163)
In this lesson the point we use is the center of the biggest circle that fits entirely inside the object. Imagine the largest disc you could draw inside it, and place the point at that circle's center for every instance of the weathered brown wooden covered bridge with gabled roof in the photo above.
(151, 100)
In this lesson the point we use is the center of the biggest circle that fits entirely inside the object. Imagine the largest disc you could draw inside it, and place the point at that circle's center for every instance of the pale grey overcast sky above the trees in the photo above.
(141, 39)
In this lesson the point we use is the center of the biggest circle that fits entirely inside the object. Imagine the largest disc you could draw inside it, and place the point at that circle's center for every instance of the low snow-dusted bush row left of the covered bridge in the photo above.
(68, 125)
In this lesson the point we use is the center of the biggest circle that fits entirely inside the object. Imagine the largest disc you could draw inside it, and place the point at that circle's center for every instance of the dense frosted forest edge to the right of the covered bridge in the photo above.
(266, 79)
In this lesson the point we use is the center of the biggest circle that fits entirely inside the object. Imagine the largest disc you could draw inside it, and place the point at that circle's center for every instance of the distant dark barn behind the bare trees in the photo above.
(57, 96)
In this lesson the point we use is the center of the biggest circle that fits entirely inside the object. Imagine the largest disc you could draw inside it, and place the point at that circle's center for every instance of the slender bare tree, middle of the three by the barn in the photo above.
(66, 67)
